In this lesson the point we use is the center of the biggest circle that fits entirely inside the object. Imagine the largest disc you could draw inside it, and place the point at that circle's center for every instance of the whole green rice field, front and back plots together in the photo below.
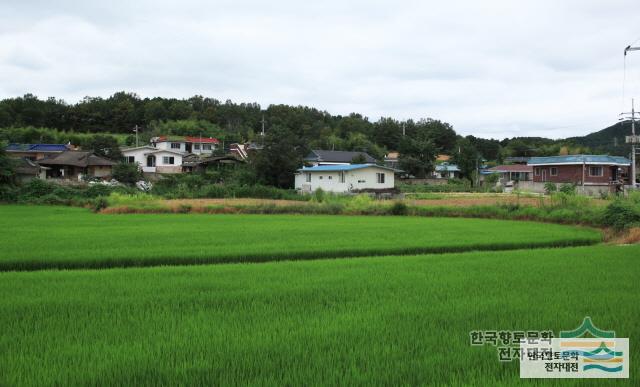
(371, 320)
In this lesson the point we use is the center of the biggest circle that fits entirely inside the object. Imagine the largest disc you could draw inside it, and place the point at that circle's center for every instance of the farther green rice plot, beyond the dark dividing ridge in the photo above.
(66, 237)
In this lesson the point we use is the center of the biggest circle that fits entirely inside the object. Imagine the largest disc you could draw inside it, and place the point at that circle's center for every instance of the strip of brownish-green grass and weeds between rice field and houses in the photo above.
(558, 208)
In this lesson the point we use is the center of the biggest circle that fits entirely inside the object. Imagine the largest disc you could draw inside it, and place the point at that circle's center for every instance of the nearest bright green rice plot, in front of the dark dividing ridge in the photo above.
(376, 321)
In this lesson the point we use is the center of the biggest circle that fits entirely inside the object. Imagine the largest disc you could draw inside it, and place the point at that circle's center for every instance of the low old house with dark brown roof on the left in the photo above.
(77, 165)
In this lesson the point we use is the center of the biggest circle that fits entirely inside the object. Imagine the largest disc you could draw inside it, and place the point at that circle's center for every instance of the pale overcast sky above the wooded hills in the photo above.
(491, 68)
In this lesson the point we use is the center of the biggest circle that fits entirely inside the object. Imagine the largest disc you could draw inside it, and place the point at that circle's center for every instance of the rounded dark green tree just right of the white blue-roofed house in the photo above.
(417, 156)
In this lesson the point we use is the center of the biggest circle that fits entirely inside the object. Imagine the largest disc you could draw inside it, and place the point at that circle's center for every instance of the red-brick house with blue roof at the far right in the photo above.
(593, 173)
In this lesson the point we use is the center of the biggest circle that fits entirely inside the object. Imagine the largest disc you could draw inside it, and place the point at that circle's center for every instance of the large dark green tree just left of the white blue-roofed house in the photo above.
(281, 156)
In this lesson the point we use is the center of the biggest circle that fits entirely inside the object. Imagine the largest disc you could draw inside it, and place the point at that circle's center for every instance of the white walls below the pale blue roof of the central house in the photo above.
(364, 178)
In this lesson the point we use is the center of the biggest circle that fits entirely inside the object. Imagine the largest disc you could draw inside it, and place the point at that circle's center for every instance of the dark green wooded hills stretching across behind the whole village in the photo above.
(238, 122)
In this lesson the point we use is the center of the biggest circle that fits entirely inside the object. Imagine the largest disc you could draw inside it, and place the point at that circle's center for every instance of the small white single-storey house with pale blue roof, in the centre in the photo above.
(344, 178)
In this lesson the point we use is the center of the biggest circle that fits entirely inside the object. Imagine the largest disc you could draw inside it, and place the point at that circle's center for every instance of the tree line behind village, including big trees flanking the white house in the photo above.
(291, 131)
